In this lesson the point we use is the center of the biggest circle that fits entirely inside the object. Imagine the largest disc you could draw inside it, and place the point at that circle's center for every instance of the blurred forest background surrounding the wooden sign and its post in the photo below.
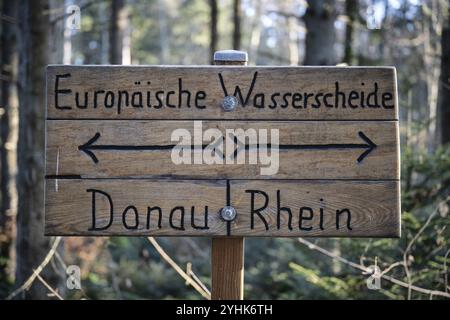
(412, 35)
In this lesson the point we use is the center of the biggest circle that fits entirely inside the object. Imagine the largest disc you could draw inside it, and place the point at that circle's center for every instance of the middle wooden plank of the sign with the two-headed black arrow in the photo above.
(333, 161)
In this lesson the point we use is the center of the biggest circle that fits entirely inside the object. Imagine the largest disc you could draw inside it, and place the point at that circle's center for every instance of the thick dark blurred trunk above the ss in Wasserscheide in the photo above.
(319, 18)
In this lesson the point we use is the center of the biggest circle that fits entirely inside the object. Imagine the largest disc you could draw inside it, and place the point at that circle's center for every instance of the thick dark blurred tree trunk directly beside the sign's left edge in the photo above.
(33, 49)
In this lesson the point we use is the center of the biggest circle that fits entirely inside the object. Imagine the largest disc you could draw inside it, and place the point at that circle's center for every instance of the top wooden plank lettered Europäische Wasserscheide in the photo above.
(273, 92)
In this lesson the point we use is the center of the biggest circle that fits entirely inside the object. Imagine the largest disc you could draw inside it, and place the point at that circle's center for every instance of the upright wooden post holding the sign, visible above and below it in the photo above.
(227, 257)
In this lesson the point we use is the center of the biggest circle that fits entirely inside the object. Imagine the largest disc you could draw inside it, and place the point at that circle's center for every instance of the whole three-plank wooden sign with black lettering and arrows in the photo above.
(150, 150)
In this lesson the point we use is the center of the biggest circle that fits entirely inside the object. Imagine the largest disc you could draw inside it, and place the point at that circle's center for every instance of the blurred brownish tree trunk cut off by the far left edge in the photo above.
(8, 138)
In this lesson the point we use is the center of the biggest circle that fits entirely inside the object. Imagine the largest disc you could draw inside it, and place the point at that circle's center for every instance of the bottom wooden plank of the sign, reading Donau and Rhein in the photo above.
(373, 207)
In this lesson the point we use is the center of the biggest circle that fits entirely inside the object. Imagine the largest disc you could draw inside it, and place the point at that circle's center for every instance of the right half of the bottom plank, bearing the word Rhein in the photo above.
(318, 208)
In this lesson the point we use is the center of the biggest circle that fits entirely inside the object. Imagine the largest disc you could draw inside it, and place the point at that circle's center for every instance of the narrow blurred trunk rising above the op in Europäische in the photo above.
(118, 24)
